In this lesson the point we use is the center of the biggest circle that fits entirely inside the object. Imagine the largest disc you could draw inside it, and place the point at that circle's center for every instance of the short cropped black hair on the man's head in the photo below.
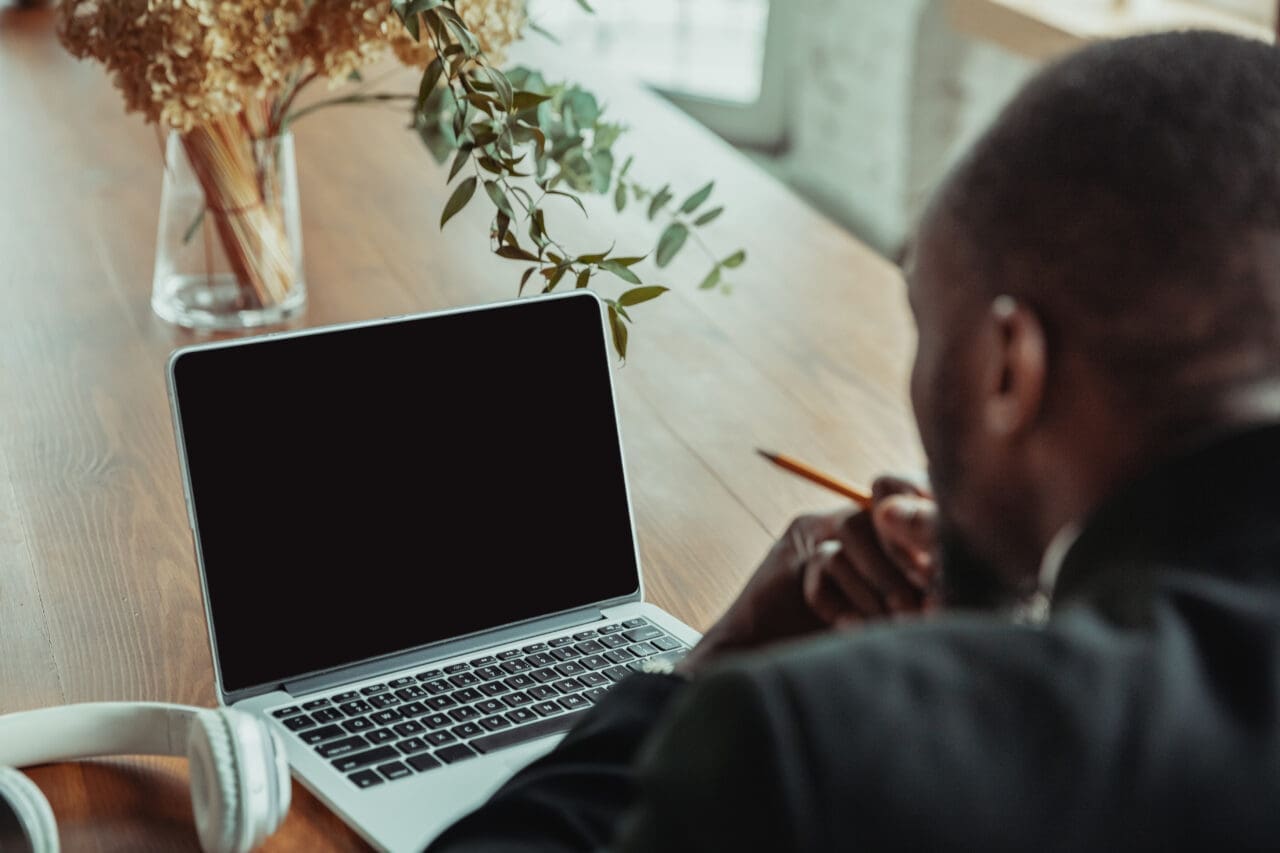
(1131, 194)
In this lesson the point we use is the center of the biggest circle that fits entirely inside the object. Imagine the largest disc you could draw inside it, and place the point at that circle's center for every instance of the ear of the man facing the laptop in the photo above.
(1017, 370)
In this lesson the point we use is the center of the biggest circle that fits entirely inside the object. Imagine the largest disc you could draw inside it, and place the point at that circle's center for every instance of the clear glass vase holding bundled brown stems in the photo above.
(230, 241)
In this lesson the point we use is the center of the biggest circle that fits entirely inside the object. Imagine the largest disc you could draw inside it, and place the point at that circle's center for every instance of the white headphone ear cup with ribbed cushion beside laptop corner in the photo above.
(240, 781)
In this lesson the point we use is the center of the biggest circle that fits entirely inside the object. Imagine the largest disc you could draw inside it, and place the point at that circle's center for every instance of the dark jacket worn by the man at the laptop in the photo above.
(1142, 717)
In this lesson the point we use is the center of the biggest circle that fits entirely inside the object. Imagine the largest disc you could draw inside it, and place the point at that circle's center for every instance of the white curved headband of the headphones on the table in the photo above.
(92, 729)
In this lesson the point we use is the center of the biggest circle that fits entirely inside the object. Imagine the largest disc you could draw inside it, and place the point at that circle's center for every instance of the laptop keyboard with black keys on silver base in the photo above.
(414, 724)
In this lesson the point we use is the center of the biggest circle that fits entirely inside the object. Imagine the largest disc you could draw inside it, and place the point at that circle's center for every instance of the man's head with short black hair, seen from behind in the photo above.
(1096, 284)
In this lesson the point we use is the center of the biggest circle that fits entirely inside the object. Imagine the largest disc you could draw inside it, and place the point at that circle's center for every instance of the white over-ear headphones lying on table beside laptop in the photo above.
(240, 776)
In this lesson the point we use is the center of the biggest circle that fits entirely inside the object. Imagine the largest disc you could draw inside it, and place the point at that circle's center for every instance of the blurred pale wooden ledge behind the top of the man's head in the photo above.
(1046, 29)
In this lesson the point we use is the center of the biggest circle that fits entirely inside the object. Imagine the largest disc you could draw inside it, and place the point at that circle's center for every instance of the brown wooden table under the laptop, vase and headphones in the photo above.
(99, 596)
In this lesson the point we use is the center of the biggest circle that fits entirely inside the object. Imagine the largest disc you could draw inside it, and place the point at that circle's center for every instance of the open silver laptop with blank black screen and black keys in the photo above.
(417, 548)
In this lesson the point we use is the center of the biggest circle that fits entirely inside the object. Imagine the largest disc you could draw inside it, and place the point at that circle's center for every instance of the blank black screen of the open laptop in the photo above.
(367, 491)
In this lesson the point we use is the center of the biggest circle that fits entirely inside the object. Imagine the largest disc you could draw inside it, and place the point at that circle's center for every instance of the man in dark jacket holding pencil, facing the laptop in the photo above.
(1098, 386)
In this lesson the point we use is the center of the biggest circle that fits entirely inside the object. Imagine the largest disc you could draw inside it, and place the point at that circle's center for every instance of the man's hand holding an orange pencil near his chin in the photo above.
(835, 571)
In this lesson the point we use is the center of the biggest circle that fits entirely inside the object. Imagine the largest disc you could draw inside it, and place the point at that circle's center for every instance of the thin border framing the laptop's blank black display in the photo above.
(438, 650)
